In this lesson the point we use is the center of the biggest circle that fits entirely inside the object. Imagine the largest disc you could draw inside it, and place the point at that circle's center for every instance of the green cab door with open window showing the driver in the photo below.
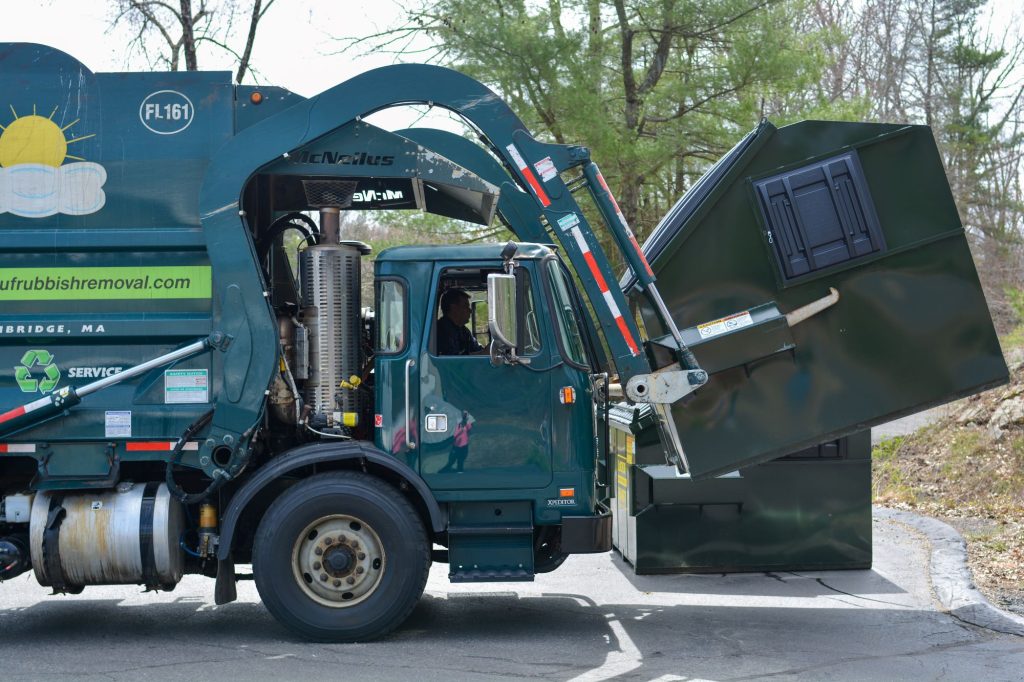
(483, 428)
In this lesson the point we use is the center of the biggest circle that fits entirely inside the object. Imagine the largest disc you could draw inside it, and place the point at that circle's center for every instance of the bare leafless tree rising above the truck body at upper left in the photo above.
(182, 27)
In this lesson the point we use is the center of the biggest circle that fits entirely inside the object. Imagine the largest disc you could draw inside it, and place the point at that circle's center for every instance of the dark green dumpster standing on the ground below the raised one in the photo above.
(809, 511)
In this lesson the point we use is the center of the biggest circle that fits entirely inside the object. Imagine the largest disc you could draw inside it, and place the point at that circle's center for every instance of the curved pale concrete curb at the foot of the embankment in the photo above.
(953, 582)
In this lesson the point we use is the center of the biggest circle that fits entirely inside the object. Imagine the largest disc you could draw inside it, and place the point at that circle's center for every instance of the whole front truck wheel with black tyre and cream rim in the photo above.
(342, 558)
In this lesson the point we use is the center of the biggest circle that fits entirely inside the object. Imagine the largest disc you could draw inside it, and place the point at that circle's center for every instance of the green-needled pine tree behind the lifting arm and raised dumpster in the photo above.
(657, 89)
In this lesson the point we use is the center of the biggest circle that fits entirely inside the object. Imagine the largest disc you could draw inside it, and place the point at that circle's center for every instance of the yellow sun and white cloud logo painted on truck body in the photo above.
(35, 183)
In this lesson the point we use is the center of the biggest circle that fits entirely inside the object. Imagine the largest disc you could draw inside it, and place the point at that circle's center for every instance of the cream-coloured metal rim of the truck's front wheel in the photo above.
(338, 561)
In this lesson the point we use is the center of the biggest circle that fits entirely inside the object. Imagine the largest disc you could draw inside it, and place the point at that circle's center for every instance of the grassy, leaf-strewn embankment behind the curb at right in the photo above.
(968, 470)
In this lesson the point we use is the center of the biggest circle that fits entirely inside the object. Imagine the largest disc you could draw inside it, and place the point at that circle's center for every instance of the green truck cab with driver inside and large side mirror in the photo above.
(517, 422)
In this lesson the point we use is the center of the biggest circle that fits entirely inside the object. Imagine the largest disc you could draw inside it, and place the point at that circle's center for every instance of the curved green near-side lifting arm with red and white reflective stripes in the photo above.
(536, 167)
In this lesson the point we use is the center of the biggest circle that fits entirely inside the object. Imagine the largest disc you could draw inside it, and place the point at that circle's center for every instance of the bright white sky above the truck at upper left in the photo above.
(292, 47)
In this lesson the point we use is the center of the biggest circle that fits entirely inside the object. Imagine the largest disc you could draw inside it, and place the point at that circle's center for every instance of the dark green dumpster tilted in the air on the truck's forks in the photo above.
(747, 264)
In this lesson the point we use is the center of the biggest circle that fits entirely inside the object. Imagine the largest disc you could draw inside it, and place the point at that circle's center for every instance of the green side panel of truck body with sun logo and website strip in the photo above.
(103, 262)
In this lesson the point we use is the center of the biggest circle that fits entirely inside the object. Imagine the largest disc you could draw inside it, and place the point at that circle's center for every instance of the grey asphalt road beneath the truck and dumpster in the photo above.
(591, 620)
